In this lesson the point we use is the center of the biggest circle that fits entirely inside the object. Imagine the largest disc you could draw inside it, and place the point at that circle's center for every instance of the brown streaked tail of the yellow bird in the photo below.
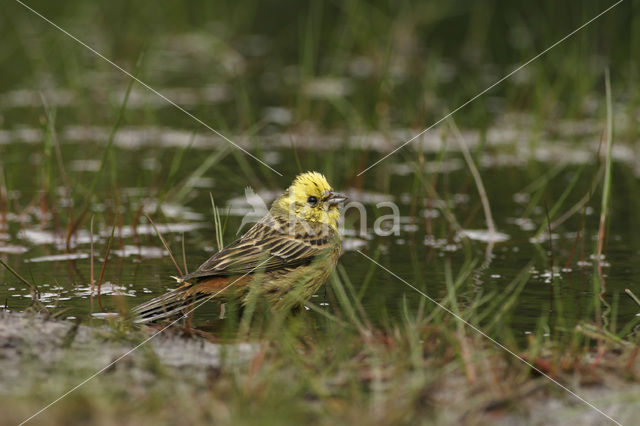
(175, 302)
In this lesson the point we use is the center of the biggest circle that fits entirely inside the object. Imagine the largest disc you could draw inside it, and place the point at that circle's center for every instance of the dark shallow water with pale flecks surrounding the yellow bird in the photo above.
(139, 268)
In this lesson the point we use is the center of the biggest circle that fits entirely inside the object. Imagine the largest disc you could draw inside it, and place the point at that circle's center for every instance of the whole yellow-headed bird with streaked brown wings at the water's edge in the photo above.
(284, 258)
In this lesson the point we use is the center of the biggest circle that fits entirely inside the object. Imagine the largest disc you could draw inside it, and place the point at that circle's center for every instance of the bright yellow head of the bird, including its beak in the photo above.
(310, 198)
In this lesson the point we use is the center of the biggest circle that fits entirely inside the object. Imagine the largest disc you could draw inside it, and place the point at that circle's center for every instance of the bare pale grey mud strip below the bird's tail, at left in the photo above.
(33, 345)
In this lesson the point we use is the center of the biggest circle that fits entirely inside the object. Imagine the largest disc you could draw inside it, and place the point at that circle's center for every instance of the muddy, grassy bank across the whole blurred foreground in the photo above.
(181, 380)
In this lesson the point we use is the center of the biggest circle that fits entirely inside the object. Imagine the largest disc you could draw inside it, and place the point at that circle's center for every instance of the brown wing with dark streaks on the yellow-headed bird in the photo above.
(266, 247)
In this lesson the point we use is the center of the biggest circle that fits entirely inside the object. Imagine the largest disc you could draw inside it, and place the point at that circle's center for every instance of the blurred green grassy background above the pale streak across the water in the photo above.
(346, 65)
